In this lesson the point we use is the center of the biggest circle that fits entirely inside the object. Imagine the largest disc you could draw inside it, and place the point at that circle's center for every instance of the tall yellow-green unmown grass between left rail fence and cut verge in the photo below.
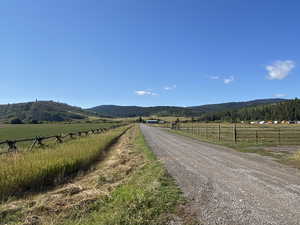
(35, 170)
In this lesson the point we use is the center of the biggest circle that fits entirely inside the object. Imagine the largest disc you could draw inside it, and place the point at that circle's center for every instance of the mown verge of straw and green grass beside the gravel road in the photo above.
(128, 186)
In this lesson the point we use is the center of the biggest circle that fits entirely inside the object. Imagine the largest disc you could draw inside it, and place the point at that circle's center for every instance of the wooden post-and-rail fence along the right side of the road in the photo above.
(279, 135)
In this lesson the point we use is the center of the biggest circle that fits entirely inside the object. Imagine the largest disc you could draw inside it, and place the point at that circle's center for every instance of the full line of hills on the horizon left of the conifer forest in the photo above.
(51, 111)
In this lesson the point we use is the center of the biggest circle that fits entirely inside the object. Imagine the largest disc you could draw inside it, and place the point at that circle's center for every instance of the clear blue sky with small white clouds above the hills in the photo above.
(141, 52)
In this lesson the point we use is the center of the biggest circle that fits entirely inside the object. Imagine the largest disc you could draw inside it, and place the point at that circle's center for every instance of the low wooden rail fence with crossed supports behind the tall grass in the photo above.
(59, 138)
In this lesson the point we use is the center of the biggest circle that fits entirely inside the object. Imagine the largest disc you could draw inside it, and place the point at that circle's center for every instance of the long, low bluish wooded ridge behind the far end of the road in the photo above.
(133, 111)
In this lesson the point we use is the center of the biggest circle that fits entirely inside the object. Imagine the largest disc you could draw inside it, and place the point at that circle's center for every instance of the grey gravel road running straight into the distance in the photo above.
(228, 187)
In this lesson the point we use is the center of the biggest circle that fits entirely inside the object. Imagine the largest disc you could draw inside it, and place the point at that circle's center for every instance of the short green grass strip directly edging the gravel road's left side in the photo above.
(149, 197)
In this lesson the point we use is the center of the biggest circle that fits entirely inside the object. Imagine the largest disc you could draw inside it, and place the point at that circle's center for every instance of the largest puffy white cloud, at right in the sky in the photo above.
(280, 69)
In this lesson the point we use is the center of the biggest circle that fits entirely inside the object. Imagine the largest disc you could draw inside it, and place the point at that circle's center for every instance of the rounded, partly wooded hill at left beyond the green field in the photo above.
(42, 111)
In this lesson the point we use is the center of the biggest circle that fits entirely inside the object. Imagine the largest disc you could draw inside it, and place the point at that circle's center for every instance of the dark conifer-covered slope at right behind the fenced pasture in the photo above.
(288, 110)
